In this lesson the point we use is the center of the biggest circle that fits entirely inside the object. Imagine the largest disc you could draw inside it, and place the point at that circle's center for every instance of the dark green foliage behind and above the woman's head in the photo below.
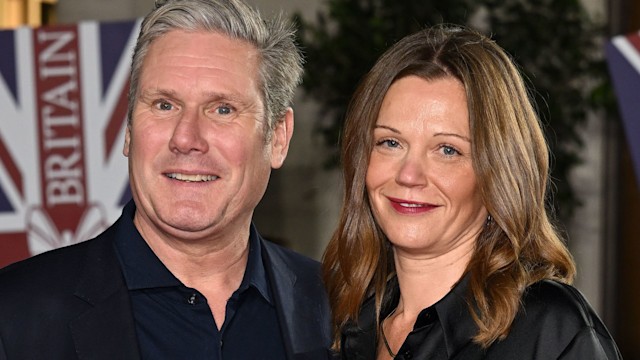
(553, 41)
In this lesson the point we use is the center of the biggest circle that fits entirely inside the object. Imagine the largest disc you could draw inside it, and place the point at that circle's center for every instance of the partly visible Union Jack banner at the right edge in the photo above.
(623, 58)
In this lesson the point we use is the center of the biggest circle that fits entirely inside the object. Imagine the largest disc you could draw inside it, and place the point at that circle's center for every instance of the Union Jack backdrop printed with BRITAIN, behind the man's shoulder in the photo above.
(63, 103)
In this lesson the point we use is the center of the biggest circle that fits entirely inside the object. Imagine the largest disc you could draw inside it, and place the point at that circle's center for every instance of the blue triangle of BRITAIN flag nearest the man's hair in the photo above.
(113, 41)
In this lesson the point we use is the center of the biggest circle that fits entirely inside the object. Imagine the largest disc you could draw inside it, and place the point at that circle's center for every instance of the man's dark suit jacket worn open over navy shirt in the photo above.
(73, 303)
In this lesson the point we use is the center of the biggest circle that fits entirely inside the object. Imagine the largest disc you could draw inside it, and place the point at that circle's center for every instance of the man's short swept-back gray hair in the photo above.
(280, 67)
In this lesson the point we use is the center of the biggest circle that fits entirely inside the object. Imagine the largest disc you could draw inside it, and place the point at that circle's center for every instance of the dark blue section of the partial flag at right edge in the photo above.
(626, 80)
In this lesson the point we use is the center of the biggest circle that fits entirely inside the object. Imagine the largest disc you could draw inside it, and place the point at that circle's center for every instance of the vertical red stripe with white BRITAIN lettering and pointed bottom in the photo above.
(60, 125)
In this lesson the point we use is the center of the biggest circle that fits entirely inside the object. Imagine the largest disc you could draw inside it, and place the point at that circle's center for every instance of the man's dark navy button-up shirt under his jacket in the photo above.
(174, 321)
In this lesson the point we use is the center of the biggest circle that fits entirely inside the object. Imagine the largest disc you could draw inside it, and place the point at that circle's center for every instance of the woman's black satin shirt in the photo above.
(555, 322)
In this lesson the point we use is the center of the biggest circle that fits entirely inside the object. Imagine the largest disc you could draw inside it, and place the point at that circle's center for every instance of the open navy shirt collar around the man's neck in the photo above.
(142, 269)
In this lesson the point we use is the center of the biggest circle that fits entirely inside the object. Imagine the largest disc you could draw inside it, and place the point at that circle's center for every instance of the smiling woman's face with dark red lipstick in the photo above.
(420, 180)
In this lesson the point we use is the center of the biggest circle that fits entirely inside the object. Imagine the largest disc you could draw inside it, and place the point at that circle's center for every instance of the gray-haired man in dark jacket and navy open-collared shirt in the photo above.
(183, 274)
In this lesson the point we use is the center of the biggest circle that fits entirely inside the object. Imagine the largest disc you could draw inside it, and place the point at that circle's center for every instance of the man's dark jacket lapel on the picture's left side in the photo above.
(107, 329)
